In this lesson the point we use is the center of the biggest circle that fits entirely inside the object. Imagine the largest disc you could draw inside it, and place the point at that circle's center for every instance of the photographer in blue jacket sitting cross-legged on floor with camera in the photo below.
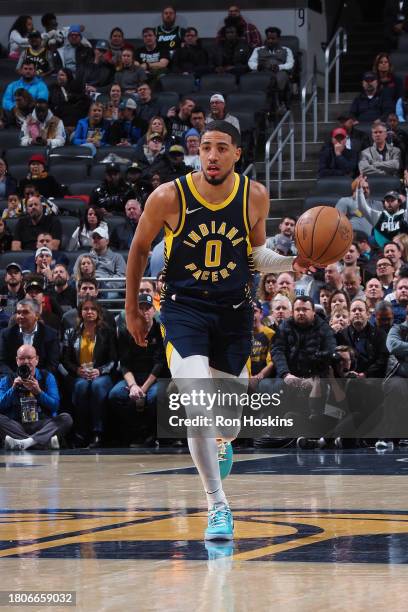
(29, 404)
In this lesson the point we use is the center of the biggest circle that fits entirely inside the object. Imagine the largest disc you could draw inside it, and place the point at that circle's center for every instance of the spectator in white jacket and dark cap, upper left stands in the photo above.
(42, 127)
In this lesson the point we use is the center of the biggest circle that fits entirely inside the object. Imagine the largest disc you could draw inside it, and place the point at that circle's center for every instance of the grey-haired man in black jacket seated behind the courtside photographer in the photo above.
(29, 330)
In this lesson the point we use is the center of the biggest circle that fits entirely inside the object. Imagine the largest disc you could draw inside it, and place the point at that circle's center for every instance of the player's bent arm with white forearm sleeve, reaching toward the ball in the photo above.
(266, 260)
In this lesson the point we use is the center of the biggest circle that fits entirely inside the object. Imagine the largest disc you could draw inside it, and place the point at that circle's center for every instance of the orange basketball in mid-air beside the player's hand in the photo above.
(323, 235)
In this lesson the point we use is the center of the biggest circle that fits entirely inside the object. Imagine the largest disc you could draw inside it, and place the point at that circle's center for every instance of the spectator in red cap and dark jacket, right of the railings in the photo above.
(335, 159)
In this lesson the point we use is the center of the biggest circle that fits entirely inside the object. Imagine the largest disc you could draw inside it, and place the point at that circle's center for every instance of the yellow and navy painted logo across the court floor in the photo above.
(339, 536)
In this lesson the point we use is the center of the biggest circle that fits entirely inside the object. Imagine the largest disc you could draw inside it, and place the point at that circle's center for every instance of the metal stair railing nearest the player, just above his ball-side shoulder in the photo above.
(278, 155)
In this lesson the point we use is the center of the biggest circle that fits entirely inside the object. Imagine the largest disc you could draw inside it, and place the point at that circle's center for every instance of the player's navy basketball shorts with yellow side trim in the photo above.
(221, 332)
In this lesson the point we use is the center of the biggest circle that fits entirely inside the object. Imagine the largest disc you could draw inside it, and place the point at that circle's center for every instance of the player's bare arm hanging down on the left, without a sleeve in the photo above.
(161, 208)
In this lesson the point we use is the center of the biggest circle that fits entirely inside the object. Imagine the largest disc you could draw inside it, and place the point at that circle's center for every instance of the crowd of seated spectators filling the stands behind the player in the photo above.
(84, 364)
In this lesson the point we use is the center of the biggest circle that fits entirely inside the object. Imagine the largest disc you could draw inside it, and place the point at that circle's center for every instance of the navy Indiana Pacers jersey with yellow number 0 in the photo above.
(209, 253)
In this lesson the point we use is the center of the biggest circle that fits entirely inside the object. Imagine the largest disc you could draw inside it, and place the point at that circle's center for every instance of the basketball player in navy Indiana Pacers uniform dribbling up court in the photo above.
(214, 222)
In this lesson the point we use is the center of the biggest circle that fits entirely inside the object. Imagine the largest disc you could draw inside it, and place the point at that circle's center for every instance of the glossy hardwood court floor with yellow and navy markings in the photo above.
(314, 531)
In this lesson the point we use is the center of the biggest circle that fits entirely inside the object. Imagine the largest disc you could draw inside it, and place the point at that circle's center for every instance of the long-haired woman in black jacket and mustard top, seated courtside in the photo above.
(89, 355)
